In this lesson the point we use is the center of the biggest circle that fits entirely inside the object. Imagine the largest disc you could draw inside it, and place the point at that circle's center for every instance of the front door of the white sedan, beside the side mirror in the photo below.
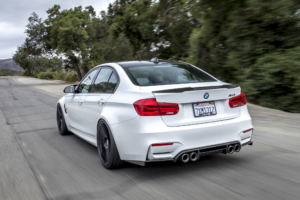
(76, 113)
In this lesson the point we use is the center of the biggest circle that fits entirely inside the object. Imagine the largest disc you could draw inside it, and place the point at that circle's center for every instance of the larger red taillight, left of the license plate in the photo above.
(149, 107)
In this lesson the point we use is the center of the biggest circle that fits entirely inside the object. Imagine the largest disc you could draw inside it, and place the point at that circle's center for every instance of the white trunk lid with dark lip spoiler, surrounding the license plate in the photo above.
(185, 95)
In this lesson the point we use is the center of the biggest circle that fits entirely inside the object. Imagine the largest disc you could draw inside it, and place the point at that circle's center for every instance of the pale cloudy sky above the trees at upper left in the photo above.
(14, 16)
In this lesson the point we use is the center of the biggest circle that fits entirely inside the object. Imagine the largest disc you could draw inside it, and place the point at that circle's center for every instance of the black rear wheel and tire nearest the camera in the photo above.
(106, 146)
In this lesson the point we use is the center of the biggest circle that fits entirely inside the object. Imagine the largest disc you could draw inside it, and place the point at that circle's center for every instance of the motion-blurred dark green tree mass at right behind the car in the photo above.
(252, 43)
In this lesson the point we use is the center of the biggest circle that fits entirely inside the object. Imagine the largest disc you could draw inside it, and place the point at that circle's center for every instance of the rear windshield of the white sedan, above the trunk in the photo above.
(166, 74)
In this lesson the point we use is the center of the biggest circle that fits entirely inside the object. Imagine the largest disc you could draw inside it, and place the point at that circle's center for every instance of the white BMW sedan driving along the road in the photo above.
(147, 111)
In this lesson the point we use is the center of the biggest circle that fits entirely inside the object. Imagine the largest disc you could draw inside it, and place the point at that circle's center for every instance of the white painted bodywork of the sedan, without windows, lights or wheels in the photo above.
(134, 134)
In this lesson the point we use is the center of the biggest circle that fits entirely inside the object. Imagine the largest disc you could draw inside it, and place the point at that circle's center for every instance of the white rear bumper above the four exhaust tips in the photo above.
(134, 138)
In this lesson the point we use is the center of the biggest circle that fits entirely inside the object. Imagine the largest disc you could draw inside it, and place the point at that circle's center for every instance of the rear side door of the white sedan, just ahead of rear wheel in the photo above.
(103, 87)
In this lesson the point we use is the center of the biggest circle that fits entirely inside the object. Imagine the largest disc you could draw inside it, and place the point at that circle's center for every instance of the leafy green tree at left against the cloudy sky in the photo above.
(81, 38)
